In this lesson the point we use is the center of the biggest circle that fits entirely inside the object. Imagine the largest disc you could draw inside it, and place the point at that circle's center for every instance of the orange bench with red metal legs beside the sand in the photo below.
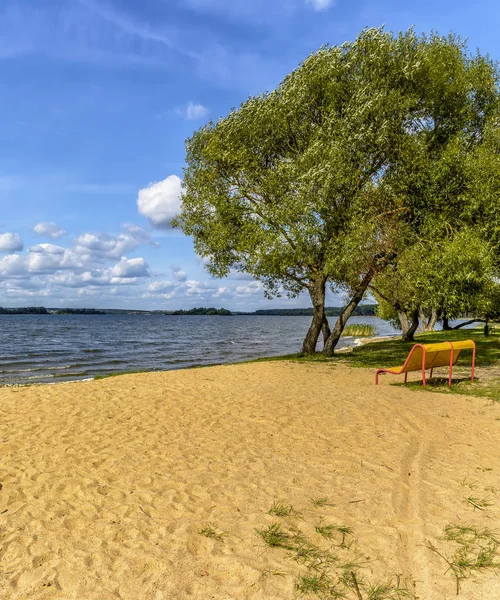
(430, 356)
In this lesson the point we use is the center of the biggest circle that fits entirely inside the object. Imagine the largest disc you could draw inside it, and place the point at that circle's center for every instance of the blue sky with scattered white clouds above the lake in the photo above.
(97, 98)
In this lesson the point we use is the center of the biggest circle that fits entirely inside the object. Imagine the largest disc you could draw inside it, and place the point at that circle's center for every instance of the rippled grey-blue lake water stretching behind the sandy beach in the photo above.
(51, 348)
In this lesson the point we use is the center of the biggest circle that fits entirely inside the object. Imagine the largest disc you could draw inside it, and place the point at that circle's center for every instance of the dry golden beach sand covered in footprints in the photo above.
(106, 484)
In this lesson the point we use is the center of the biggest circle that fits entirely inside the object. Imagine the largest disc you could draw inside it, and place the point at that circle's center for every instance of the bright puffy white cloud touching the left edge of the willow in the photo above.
(160, 202)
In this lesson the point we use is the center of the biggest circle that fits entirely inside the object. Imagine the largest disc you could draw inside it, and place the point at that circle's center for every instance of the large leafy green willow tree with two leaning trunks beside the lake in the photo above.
(323, 180)
